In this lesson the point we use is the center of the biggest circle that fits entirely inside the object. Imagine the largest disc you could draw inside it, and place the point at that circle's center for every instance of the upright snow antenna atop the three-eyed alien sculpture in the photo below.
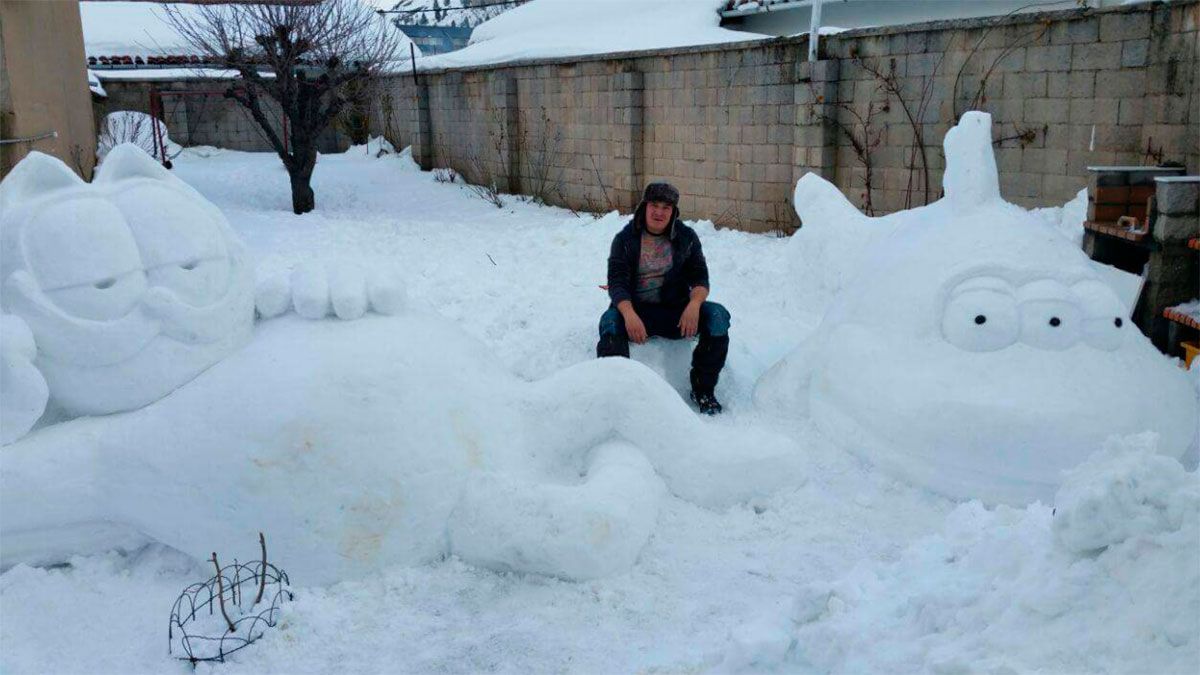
(971, 180)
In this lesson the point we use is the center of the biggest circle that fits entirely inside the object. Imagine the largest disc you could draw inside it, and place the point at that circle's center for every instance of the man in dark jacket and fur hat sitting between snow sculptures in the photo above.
(658, 282)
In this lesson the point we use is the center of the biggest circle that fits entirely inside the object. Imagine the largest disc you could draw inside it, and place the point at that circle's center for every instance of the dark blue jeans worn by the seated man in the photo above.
(663, 321)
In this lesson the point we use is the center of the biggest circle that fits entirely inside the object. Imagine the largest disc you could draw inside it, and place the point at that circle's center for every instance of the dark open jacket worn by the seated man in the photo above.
(688, 266)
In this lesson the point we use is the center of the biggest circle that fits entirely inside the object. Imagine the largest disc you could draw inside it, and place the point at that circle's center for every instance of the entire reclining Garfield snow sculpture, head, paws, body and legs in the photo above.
(391, 440)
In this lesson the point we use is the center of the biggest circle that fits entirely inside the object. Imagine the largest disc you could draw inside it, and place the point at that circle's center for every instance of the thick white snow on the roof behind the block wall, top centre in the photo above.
(551, 29)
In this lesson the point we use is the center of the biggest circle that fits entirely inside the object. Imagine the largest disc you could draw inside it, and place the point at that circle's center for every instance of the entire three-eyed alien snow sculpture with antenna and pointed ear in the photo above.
(975, 351)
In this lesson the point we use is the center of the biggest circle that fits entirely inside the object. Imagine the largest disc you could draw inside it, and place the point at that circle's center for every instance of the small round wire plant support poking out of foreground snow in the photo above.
(230, 612)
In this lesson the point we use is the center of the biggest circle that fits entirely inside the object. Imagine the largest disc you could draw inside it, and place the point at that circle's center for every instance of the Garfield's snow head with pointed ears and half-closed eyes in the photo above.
(131, 285)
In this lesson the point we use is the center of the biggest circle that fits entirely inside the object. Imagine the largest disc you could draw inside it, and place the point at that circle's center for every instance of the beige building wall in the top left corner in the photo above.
(44, 85)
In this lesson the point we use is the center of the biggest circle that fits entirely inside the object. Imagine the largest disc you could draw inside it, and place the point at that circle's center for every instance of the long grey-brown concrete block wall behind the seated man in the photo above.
(736, 126)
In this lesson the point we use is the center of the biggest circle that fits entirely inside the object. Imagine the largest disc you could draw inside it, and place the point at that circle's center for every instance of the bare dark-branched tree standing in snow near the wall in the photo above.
(309, 57)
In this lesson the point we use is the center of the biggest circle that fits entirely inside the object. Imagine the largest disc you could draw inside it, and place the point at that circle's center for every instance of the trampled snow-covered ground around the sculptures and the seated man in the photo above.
(811, 580)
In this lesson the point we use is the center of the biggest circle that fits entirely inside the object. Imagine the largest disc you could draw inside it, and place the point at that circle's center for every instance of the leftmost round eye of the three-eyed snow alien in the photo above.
(981, 316)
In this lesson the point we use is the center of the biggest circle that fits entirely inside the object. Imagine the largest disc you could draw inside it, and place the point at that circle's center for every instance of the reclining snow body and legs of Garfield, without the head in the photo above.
(386, 441)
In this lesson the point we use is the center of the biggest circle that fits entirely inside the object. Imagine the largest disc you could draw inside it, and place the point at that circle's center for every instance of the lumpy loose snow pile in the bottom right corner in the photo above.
(1109, 584)
